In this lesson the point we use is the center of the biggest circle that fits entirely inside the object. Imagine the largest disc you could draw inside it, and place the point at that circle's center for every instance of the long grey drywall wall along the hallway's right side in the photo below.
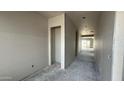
(104, 44)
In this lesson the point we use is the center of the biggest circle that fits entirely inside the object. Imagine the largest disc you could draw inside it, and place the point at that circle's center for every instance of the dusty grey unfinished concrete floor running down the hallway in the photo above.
(82, 69)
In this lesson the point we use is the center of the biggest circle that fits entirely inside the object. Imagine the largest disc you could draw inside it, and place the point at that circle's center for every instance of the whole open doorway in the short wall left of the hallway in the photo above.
(56, 45)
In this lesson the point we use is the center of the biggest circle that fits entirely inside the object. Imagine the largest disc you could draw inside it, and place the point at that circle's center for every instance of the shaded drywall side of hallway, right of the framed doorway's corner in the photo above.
(70, 40)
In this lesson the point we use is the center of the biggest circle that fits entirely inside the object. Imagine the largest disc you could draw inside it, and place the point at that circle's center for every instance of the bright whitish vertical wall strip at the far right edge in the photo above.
(118, 48)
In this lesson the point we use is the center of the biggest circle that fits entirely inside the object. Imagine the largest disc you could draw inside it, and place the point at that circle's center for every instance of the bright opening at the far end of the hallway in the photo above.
(87, 48)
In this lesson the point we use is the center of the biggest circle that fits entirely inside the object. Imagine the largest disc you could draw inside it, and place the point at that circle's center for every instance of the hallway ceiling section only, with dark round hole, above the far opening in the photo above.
(87, 25)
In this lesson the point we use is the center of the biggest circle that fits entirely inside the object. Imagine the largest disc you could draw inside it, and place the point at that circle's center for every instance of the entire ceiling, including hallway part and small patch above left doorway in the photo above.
(86, 26)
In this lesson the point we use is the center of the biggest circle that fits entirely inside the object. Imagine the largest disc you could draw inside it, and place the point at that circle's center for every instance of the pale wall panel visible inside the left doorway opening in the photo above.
(58, 45)
